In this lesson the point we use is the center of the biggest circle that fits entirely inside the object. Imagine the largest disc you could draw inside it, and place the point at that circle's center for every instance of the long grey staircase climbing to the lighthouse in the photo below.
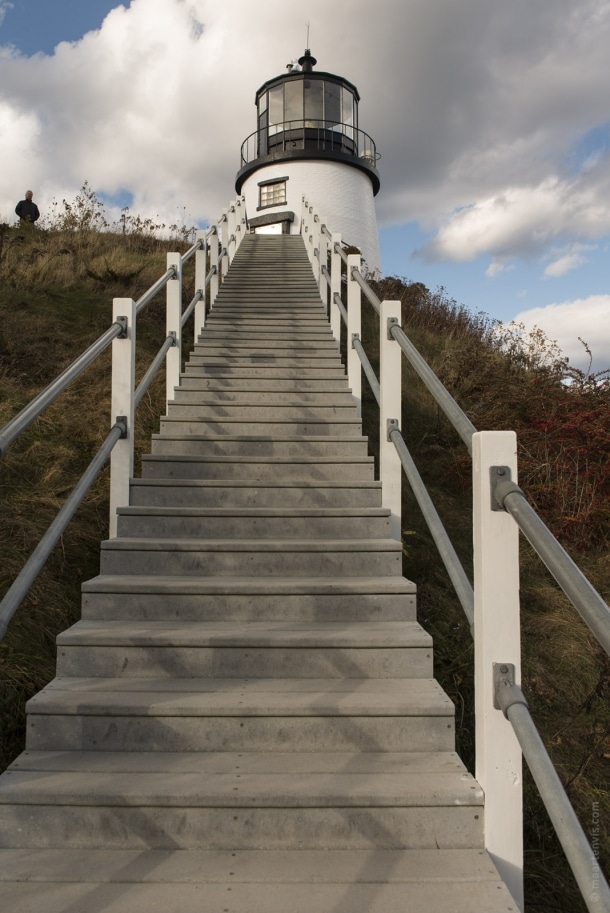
(245, 720)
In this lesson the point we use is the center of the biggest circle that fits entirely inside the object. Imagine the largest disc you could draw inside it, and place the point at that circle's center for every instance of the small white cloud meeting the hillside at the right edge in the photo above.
(587, 318)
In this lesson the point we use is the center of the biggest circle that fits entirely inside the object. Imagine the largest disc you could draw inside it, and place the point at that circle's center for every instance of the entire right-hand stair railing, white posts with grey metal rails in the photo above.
(504, 726)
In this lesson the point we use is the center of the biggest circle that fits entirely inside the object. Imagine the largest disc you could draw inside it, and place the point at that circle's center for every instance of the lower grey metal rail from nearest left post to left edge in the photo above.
(37, 559)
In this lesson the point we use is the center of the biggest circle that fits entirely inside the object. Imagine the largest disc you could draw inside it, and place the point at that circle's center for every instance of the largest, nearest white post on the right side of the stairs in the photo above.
(497, 640)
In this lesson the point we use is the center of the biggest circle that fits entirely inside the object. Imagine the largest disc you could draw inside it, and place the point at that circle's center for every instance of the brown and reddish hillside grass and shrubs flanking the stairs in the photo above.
(56, 292)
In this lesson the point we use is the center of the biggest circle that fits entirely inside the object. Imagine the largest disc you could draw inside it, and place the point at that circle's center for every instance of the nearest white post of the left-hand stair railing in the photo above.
(122, 404)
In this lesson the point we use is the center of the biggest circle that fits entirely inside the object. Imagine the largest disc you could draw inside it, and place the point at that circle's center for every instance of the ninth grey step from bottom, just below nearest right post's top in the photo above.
(175, 466)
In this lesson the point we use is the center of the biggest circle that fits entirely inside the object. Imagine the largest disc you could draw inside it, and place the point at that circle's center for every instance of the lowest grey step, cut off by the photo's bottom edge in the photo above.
(272, 881)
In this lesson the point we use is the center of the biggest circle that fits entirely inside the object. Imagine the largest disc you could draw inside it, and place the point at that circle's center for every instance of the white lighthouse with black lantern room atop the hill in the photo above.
(308, 143)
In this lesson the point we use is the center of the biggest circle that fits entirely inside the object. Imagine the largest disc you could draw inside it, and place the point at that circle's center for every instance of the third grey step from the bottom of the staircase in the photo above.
(276, 715)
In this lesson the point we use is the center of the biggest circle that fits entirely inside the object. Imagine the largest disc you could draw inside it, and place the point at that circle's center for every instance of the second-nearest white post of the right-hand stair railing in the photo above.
(390, 407)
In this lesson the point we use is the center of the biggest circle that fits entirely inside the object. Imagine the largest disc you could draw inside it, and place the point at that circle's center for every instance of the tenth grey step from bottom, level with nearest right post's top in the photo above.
(248, 445)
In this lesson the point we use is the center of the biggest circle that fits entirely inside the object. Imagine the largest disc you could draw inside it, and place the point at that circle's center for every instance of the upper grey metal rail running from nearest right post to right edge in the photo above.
(582, 594)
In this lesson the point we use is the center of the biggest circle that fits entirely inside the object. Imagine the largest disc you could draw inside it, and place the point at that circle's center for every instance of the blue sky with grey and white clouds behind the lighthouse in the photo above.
(492, 120)
